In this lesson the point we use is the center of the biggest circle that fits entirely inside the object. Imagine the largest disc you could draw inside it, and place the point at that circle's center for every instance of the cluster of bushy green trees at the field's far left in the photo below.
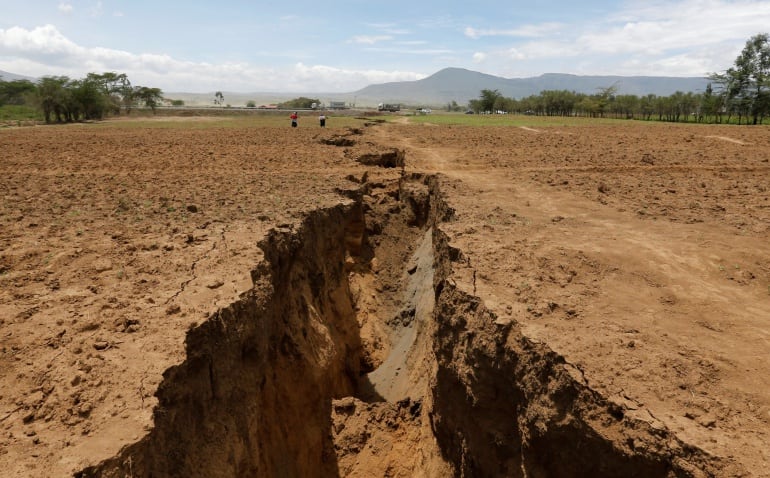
(62, 99)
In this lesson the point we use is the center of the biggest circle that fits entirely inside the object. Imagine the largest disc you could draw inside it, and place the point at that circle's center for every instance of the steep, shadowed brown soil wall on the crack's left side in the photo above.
(254, 396)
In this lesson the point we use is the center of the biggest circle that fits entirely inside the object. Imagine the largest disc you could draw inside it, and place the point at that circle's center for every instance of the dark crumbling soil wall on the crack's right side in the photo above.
(505, 405)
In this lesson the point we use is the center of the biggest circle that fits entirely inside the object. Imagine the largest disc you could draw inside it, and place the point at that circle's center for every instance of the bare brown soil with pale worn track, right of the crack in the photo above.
(639, 252)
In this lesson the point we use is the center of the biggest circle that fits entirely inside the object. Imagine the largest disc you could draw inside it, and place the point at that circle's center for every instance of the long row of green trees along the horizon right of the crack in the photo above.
(742, 92)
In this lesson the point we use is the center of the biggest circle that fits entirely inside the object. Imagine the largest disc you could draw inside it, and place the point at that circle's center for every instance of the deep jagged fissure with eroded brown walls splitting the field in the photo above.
(354, 336)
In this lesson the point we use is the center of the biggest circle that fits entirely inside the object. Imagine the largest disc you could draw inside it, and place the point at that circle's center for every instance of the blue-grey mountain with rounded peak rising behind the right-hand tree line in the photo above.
(461, 85)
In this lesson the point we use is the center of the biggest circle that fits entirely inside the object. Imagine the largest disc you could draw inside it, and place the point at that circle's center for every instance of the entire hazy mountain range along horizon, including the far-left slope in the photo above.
(455, 84)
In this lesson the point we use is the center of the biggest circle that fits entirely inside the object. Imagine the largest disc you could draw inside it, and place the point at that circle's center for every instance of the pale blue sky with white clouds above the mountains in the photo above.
(332, 46)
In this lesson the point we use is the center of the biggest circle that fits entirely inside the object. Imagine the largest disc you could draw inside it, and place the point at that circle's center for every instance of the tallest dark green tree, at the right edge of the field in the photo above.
(746, 86)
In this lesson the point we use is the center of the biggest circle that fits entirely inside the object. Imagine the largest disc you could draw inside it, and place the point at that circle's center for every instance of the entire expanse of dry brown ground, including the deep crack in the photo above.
(385, 300)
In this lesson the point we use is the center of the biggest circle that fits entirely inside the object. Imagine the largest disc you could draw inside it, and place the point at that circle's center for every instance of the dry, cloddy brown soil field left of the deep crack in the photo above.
(114, 243)
